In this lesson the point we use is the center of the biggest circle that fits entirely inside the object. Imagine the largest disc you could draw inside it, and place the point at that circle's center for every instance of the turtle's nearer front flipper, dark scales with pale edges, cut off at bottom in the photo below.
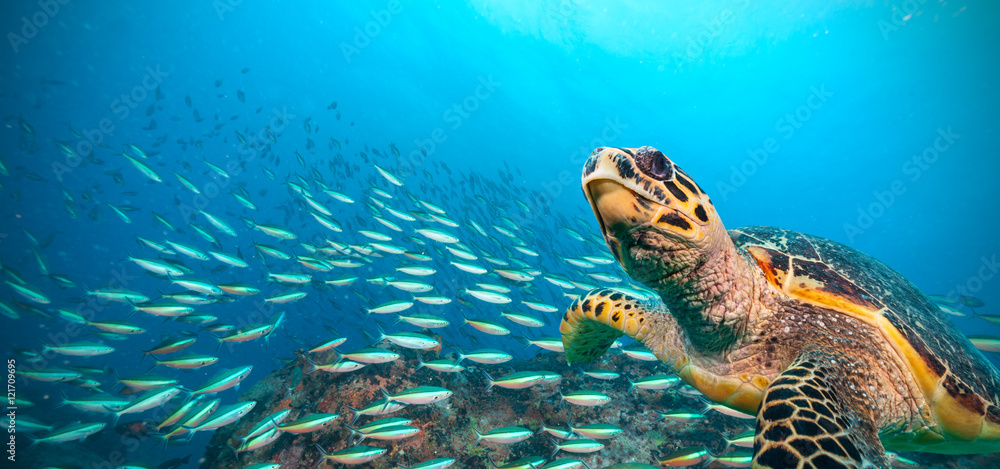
(810, 417)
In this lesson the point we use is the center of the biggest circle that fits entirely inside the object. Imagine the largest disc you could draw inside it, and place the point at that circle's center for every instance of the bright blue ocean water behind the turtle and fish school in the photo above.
(874, 124)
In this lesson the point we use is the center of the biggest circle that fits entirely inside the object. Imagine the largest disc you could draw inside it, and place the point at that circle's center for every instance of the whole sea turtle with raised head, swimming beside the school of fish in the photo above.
(837, 354)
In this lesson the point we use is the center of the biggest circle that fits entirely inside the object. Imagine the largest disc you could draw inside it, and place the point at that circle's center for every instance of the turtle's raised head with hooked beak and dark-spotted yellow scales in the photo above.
(655, 219)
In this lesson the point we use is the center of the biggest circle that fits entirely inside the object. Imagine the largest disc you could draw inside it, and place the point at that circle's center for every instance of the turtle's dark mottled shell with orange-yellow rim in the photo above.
(961, 387)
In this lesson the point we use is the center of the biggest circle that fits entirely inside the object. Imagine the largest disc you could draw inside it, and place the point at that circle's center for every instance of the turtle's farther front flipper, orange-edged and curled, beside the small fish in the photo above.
(594, 321)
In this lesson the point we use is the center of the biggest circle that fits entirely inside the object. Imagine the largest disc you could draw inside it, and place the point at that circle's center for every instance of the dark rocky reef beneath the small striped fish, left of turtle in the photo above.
(448, 428)
